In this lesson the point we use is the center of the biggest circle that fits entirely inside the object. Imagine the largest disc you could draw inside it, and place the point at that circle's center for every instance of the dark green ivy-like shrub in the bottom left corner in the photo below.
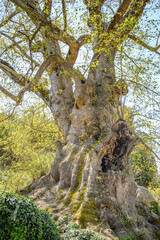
(20, 219)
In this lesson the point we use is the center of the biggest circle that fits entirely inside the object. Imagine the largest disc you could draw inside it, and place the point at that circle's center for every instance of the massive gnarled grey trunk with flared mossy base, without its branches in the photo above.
(91, 177)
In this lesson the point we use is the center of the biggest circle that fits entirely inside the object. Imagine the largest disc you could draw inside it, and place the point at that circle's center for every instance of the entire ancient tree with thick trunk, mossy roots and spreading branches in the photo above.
(90, 176)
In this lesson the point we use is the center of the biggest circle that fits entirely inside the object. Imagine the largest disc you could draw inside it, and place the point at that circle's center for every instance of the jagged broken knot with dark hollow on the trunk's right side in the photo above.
(114, 154)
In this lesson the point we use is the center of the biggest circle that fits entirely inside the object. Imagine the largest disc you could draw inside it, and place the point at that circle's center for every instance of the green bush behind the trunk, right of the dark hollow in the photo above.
(144, 166)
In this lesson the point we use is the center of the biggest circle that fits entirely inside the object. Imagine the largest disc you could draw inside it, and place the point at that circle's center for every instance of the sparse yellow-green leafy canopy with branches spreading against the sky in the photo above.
(77, 29)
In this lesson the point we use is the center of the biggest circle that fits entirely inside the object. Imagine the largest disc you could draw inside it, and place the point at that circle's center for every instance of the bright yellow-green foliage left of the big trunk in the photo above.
(27, 147)
